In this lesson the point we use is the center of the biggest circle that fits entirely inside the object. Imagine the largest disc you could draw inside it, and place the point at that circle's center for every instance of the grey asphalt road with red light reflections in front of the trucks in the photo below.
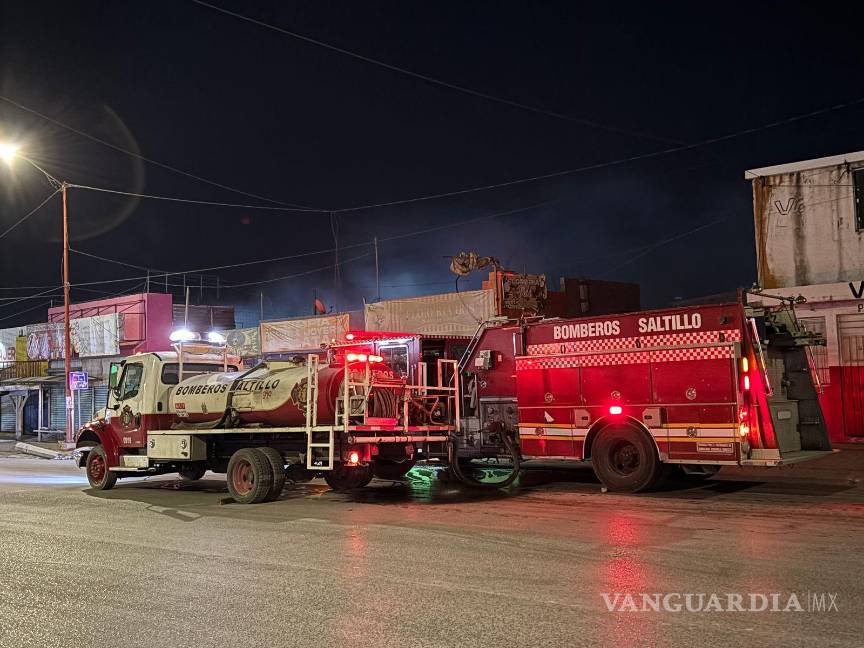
(164, 563)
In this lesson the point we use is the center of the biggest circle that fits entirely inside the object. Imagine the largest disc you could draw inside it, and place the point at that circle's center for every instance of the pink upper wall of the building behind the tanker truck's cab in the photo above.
(147, 319)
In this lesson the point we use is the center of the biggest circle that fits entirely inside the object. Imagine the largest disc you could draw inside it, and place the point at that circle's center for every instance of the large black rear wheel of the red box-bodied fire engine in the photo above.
(625, 460)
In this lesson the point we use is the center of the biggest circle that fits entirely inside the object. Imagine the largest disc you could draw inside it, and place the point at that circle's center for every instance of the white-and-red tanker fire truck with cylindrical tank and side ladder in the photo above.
(191, 410)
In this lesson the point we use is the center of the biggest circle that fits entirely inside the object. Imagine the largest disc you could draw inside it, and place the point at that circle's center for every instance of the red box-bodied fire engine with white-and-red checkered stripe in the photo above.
(698, 387)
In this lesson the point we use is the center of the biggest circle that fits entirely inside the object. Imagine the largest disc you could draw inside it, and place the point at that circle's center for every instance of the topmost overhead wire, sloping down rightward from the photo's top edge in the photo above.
(433, 80)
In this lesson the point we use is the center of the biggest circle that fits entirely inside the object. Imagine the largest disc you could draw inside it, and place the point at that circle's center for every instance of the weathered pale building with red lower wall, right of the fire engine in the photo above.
(809, 226)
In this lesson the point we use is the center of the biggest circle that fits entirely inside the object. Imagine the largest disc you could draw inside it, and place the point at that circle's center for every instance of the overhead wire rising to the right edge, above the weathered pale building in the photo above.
(610, 163)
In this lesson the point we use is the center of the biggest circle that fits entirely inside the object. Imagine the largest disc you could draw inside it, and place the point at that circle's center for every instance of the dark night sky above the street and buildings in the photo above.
(288, 120)
